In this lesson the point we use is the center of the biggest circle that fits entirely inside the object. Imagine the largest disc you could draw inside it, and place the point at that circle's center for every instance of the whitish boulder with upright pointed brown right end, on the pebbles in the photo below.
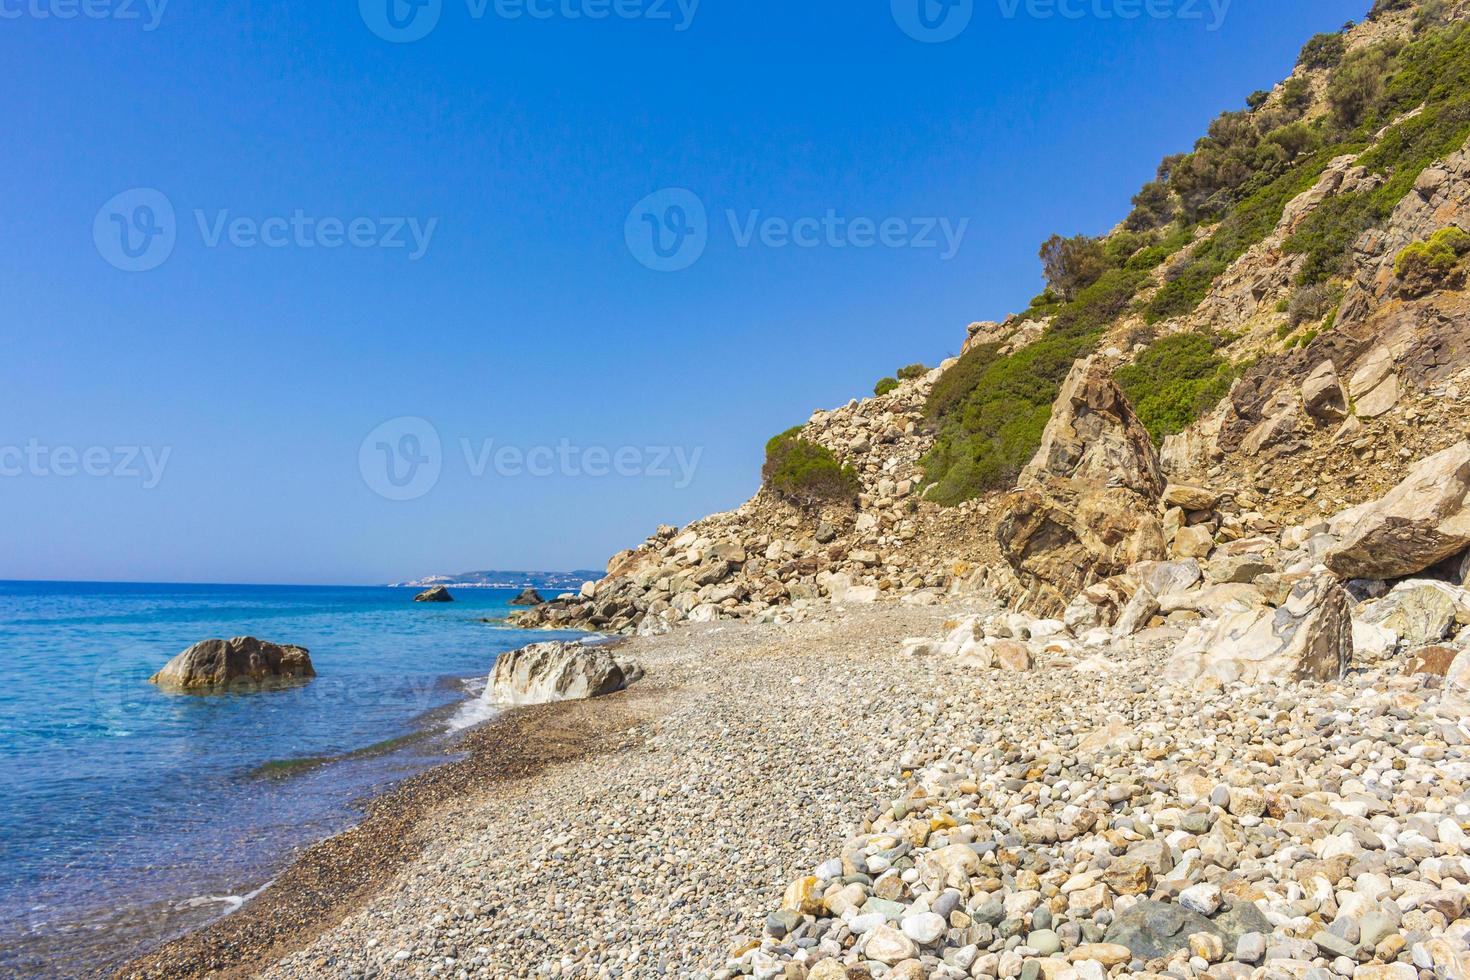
(1309, 638)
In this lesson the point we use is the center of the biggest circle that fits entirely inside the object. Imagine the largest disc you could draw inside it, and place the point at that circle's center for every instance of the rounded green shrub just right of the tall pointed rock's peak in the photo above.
(1177, 381)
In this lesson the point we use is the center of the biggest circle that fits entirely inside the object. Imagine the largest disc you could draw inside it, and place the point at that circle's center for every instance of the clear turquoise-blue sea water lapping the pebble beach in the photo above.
(129, 815)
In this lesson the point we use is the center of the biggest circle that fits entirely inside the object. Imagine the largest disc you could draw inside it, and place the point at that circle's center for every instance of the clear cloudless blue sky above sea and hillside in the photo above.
(342, 234)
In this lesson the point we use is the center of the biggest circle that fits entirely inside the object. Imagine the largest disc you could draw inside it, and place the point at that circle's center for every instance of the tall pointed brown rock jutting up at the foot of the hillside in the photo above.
(1087, 505)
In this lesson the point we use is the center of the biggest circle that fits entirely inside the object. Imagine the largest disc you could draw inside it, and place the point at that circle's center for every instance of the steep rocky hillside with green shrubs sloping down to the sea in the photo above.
(1286, 317)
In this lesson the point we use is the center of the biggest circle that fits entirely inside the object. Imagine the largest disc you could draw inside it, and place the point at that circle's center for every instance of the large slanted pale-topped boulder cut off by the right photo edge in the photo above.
(1419, 524)
